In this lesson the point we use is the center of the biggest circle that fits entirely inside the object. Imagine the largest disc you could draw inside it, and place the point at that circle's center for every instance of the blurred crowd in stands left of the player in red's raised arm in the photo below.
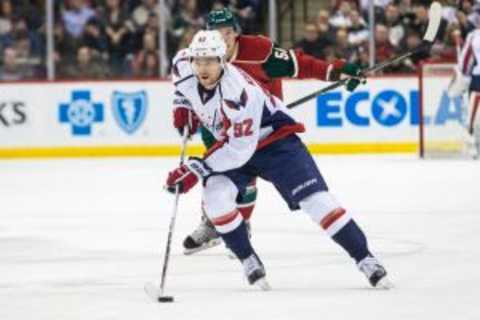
(103, 39)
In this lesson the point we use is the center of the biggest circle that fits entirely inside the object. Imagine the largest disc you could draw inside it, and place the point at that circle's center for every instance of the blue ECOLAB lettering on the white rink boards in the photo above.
(386, 108)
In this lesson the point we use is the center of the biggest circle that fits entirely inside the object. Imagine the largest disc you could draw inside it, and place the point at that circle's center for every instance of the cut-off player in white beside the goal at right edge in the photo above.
(467, 78)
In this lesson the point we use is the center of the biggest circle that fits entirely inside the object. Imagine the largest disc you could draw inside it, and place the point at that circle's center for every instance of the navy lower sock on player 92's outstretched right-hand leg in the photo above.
(353, 240)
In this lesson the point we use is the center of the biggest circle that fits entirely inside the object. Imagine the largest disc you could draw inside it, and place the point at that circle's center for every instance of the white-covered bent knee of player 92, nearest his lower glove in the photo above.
(219, 196)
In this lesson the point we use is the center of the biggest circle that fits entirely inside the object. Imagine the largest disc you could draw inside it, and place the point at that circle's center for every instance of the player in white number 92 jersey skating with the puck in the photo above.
(257, 138)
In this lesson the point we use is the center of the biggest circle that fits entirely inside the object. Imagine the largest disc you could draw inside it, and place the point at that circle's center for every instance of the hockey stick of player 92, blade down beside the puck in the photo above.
(157, 293)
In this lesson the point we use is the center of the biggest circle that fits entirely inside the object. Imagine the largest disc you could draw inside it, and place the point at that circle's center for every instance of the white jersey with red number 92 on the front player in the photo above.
(238, 112)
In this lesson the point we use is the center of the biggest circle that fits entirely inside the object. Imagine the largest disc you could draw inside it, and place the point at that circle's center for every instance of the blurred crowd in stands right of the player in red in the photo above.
(343, 32)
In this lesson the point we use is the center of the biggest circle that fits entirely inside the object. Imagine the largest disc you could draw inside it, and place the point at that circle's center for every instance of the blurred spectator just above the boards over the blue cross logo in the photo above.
(86, 67)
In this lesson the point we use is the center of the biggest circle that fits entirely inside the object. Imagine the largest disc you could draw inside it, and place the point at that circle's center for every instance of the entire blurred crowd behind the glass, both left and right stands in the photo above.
(105, 39)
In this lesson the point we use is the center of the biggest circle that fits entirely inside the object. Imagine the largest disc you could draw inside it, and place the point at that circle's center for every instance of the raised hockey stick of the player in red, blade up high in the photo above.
(434, 19)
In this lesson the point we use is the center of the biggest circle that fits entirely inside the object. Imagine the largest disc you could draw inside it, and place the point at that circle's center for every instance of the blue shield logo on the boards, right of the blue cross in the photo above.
(129, 109)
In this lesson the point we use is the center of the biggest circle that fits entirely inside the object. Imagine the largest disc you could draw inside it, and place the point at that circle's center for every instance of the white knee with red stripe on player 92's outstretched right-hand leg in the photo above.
(326, 211)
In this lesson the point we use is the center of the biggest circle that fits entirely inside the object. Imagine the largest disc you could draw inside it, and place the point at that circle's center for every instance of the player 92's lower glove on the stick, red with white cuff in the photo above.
(187, 175)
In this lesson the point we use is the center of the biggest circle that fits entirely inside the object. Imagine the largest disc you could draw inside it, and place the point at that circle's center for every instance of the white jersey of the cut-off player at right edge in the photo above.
(468, 63)
